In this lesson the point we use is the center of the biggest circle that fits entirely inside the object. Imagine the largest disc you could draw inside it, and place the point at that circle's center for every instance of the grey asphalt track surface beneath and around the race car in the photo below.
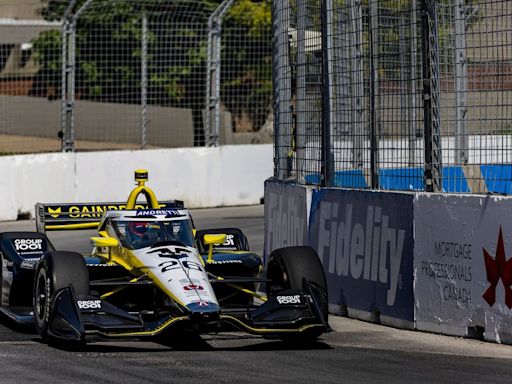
(356, 352)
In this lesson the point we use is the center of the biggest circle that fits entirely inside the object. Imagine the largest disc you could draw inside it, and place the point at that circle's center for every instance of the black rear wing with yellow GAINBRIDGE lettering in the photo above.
(55, 217)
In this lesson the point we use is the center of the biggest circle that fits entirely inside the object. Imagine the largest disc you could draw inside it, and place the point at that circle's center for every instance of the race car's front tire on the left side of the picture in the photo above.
(55, 271)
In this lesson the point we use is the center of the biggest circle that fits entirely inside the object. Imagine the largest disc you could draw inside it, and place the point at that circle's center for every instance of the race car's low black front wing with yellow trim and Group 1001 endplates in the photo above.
(81, 318)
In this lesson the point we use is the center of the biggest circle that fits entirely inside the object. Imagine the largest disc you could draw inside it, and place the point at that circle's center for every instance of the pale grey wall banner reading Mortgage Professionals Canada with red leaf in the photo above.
(463, 264)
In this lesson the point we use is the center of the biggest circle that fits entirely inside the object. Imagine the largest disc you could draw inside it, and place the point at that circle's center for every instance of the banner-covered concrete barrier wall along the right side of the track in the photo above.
(432, 262)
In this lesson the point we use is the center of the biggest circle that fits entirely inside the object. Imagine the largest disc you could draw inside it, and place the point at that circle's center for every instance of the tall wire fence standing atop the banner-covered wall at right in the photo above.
(404, 95)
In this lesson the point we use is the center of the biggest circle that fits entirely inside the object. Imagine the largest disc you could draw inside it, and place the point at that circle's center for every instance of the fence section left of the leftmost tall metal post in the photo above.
(29, 86)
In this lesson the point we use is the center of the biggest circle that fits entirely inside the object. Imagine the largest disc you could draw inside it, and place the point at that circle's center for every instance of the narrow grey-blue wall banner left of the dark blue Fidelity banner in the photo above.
(286, 215)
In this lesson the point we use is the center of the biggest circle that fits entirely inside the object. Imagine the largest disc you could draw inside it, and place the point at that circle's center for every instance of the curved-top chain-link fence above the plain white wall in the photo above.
(118, 74)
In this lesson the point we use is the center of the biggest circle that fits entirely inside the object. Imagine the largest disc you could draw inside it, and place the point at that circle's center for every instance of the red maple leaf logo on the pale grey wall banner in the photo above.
(498, 268)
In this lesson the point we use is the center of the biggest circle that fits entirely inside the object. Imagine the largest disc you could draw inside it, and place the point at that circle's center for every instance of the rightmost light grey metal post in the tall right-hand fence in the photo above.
(461, 78)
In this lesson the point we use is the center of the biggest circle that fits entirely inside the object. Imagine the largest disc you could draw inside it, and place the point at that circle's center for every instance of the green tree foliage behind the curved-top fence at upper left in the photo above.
(108, 53)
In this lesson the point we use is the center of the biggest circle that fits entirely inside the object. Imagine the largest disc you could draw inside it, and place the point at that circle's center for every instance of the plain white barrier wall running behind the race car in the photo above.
(201, 177)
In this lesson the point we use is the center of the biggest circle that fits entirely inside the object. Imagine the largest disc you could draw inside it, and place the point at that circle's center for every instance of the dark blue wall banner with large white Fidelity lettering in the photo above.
(365, 242)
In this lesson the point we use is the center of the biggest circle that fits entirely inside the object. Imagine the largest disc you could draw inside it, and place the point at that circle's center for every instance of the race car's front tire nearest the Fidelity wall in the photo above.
(288, 267)
